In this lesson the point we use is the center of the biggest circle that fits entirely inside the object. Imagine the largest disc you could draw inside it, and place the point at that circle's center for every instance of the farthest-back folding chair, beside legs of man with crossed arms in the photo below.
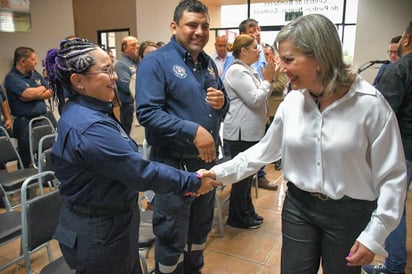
(39, 127)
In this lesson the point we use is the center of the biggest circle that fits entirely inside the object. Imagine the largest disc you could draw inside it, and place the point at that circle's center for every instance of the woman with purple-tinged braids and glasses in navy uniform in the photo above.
(99, 167)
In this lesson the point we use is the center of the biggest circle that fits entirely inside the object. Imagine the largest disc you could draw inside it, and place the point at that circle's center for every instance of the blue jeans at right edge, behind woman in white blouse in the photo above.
(395, 244)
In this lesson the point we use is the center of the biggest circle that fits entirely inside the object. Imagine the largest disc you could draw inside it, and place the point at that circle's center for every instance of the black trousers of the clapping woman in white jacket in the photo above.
(241, 209)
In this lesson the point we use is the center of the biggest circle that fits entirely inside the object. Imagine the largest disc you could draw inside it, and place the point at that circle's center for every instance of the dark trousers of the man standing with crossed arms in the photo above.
(21, 133)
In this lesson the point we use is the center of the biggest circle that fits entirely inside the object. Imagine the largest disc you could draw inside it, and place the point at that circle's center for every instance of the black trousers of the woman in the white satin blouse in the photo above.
(315, 231)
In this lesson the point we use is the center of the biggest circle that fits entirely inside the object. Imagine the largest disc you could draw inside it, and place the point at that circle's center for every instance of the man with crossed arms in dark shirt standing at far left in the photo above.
(26, 91)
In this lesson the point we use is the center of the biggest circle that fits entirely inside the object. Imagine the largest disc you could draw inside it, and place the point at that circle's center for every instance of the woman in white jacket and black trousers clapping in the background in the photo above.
(244, 124)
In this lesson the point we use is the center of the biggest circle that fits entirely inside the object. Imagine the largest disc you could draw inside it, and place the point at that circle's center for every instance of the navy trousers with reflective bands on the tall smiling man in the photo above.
(181, 224)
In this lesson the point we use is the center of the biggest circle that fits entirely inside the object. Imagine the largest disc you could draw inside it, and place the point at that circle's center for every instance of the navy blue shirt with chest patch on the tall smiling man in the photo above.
(171, 94)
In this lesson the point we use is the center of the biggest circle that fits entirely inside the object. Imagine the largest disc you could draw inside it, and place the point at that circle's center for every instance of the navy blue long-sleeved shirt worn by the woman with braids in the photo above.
(98, 164)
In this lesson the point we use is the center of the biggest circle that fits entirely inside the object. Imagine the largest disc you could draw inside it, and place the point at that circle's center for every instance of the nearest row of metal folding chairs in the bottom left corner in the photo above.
(35, 224)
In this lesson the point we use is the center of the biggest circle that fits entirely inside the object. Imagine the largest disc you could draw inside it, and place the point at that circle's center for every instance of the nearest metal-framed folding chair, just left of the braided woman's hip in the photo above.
(39, 218)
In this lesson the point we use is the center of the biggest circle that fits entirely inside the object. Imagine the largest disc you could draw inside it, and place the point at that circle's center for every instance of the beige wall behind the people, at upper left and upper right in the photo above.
(52, 20)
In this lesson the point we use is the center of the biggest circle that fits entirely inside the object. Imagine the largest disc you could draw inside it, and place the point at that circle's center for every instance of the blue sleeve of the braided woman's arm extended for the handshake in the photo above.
(106, 150)
